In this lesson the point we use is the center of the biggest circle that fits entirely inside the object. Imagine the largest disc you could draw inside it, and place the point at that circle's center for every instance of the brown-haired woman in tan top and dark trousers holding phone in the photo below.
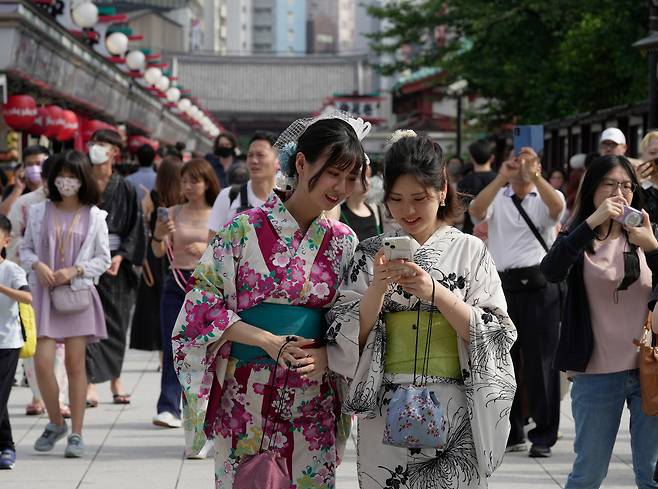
(181, 234)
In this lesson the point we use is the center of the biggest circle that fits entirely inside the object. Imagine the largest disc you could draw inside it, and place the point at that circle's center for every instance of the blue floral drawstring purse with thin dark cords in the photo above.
(415, 417)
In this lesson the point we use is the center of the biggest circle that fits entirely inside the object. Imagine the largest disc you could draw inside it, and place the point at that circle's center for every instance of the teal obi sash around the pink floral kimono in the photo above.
(281, 320)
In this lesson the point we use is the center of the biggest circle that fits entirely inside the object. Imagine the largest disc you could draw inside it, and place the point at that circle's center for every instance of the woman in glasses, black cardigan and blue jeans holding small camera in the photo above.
(609, 257)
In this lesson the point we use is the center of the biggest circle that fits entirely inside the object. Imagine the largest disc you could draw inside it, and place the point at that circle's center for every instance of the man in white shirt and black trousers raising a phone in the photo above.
(523, 211)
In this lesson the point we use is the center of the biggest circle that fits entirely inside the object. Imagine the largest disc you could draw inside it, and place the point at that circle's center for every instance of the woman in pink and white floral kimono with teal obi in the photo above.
(270, 273)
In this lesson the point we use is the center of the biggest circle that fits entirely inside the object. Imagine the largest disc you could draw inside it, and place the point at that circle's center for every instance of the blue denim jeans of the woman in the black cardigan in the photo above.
(597, 402)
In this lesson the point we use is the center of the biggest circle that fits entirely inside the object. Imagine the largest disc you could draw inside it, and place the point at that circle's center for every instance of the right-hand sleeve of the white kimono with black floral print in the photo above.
(486, 361)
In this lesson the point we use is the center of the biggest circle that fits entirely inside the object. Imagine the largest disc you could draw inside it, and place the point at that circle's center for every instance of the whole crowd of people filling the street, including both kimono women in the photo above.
(283, 312)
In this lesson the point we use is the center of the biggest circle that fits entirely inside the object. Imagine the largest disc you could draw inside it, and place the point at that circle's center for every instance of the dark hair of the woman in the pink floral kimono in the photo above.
(337, 140)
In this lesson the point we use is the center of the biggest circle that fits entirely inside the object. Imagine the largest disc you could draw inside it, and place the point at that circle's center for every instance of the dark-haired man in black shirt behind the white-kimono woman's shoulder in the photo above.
(481, 154)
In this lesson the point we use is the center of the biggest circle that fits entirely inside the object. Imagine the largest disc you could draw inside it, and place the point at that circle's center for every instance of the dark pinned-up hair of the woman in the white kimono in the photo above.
(422, 158)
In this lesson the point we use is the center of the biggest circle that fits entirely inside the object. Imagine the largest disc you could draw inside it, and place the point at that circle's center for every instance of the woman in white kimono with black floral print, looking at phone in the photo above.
(470, 370)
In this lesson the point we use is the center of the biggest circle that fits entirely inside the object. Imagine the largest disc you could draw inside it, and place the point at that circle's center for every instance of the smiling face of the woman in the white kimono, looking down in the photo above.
(413, 206)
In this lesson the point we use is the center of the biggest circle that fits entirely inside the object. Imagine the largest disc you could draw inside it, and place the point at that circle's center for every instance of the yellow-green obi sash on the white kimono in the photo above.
(401, 341)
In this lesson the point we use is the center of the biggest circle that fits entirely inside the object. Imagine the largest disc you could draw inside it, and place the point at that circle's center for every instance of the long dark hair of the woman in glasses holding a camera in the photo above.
(600, 167)
